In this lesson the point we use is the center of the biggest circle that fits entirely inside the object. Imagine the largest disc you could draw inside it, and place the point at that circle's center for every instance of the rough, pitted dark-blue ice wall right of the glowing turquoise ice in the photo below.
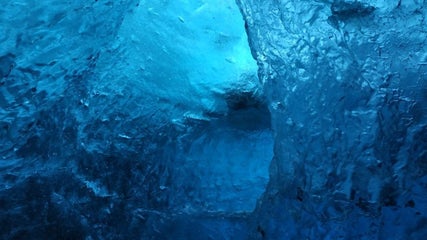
(346, 83)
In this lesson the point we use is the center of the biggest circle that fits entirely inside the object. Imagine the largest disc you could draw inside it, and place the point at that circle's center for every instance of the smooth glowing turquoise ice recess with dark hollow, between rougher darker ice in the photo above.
(186, 66)
